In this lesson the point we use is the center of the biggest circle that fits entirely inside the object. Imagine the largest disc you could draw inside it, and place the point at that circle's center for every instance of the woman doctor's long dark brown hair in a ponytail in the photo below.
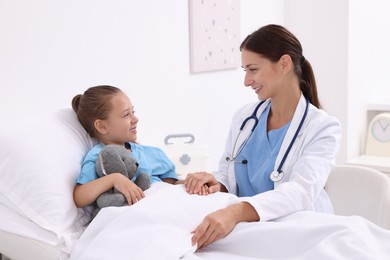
(273, 41)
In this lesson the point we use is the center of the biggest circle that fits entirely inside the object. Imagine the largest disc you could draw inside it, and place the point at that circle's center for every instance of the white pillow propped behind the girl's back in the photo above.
(40, 159)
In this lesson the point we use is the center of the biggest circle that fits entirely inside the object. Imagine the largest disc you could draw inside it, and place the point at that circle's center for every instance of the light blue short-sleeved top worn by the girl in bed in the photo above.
(152, 161)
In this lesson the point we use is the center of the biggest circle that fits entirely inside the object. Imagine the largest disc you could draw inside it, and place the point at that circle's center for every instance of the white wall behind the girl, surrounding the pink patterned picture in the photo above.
(53, 50)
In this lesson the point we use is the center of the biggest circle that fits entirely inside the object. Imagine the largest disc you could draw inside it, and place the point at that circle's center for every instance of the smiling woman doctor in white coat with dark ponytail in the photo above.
(280, 150)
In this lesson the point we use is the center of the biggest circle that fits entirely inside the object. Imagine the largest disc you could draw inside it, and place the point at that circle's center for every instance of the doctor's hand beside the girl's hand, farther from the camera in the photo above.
(202, 183)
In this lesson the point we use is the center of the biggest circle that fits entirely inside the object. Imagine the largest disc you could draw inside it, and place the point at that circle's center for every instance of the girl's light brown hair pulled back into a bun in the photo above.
(92, 105)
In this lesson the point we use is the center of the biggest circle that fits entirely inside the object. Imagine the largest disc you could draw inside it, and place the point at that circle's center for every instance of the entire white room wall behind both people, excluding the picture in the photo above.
(53, 50)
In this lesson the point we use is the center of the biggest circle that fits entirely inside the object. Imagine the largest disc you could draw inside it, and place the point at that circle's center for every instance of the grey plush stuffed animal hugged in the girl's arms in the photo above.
(117, 159)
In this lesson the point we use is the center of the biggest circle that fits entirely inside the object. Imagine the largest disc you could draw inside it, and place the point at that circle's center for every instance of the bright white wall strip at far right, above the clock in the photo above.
(369, 35)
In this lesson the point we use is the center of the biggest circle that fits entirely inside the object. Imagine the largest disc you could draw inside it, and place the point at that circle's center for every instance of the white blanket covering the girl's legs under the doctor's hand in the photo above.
(160, 225)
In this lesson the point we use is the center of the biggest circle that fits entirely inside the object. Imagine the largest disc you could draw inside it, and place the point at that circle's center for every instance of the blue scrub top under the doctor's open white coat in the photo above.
(260, 152)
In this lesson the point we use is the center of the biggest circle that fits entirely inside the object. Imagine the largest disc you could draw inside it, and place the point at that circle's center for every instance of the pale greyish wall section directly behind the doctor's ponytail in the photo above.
(322, 28)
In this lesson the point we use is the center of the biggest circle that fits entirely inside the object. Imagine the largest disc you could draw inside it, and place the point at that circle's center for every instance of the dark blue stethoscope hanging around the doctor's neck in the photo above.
(277, 175)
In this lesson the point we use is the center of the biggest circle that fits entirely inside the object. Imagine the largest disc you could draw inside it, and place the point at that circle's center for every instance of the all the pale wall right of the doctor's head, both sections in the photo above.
(347, 43)
